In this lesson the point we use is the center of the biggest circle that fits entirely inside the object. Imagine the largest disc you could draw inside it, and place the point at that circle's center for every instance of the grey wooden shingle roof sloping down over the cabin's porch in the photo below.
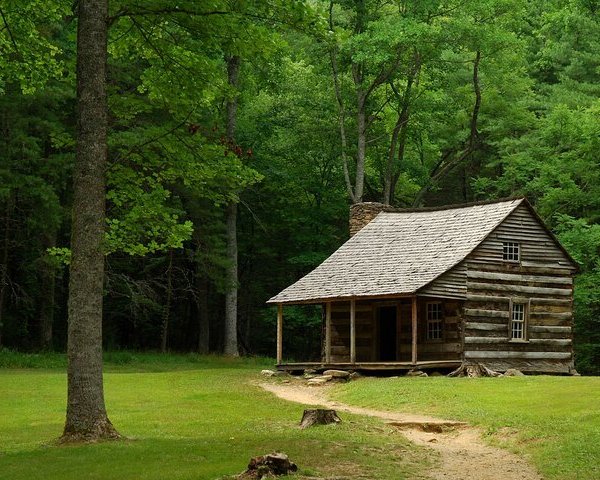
(399, 252)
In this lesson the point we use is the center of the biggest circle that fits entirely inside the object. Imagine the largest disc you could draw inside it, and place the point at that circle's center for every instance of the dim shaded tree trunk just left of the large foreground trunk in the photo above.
(47, 299)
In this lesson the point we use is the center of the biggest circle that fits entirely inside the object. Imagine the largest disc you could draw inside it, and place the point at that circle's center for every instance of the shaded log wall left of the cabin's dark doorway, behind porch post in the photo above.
(340, 331)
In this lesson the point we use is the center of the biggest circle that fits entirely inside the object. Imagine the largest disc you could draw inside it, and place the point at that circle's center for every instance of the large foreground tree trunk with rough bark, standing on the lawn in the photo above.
(86, 412)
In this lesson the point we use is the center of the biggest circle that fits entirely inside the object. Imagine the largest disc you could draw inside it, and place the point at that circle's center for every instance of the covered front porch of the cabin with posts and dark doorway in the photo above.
(384, 334)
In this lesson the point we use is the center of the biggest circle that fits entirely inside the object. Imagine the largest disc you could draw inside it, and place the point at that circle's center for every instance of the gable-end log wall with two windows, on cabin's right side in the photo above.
(542, 280)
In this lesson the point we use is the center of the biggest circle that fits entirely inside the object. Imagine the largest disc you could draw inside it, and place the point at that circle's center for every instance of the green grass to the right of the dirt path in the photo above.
(555, 421)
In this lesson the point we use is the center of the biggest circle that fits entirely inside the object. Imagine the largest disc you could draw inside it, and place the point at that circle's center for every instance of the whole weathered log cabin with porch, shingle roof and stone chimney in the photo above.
(437, 288)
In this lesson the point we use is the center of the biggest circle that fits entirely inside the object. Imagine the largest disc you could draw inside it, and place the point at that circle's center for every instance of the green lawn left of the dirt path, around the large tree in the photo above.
(185, 417)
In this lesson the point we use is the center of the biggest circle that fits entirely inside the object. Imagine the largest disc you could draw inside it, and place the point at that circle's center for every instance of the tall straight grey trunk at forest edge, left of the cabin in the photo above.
(231, 343)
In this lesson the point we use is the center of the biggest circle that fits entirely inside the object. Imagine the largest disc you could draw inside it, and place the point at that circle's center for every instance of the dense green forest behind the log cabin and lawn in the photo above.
(240, 131)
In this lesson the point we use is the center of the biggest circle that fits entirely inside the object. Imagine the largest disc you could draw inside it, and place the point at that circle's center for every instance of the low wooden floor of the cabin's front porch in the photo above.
(370, 366)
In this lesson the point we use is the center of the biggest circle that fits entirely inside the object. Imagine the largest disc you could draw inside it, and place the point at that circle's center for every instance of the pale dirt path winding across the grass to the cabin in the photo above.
(463, 454)
